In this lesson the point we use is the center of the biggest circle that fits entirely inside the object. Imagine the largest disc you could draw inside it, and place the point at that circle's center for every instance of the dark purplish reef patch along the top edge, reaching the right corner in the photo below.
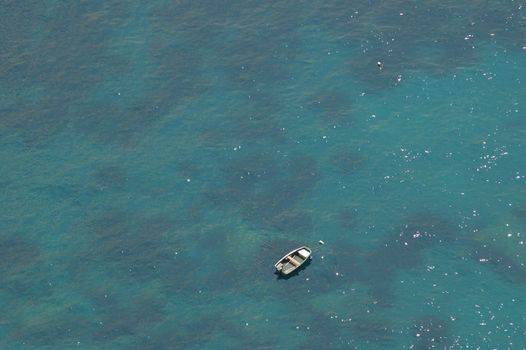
(406, 37)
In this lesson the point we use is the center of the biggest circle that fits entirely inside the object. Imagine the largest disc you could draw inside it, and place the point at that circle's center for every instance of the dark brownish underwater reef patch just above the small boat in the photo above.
(266, 190)
